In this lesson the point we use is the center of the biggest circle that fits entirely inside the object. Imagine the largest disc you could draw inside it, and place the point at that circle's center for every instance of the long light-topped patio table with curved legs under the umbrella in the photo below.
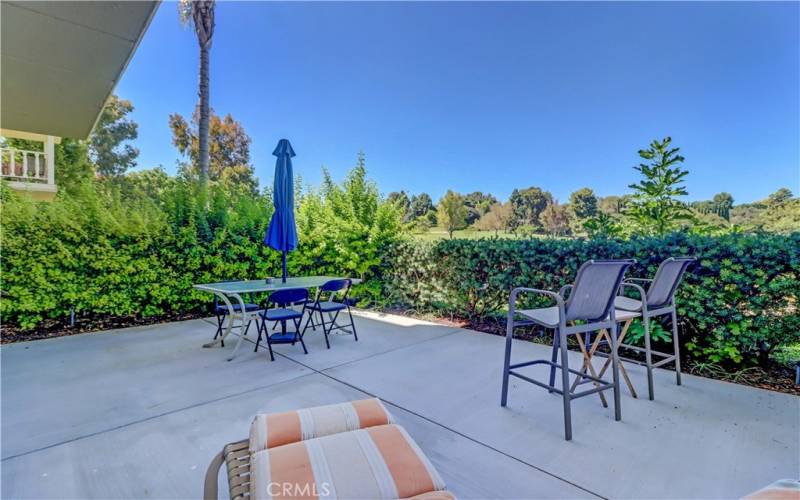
(230, 292)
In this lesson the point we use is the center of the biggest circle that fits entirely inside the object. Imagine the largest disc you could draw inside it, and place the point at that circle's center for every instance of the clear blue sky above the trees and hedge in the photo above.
(489, 97)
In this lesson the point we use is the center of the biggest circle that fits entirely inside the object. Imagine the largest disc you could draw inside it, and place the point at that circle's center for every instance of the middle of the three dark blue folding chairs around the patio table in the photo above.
(282, 312)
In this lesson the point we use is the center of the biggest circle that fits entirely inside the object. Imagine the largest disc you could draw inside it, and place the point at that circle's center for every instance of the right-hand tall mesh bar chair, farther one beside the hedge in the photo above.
(659, 300)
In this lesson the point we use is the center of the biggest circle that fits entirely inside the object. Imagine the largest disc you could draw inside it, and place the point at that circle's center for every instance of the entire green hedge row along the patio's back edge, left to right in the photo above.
(139, 257)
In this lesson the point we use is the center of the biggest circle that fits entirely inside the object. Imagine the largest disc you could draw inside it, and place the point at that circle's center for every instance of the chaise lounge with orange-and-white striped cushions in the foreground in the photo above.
(348, 450)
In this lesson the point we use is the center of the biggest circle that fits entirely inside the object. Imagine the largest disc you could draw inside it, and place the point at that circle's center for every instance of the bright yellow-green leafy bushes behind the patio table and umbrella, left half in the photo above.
(134, 246)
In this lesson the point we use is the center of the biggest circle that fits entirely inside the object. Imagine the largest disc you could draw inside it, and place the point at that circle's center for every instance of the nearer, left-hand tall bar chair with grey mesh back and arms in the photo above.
(589, 308)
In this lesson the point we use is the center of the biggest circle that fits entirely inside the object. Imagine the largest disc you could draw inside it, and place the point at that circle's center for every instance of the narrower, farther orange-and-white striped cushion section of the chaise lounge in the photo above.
(277, 429)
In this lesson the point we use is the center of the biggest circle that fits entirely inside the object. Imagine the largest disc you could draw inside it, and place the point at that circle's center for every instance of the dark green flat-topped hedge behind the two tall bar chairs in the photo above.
(736, 304)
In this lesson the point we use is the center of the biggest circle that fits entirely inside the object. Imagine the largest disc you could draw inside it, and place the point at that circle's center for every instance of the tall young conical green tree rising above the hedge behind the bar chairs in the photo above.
(654, 207)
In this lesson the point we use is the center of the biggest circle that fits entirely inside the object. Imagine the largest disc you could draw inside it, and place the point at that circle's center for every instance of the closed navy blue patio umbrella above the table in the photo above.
(282, 232)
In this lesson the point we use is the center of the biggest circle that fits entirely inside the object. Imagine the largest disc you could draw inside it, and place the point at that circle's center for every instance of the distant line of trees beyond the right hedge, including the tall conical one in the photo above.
(655, 206)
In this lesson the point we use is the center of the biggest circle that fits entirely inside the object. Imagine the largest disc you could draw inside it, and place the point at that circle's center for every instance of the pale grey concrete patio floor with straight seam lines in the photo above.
(140, 412)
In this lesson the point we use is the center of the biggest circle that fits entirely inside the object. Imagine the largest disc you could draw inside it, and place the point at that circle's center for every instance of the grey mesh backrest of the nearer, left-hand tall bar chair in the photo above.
(594, 290)
